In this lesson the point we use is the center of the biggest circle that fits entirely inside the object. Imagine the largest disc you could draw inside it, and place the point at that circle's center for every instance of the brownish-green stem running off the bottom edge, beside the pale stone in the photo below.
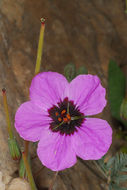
(29, 172)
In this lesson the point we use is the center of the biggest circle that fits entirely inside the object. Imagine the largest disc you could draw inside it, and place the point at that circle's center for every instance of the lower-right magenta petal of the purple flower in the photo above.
(93, 139)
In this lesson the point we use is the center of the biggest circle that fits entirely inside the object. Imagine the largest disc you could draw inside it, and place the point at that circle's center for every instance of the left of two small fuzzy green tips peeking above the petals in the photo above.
(70, 71)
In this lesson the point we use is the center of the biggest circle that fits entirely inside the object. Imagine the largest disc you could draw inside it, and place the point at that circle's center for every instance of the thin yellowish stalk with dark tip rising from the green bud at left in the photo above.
(9, 128)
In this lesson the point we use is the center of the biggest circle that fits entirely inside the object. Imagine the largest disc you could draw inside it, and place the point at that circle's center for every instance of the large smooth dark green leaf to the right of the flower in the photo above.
(116, 85)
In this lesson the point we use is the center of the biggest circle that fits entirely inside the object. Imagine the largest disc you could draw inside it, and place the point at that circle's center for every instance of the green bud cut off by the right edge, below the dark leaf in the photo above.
(123, 109)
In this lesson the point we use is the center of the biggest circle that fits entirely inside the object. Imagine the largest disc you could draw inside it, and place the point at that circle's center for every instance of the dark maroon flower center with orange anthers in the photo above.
(66, 117)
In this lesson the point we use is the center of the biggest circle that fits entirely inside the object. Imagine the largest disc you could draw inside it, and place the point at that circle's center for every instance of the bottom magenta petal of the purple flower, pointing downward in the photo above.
(55, 151)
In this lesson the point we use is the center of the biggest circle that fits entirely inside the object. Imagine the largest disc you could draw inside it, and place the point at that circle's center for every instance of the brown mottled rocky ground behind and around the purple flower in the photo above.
(84, 32)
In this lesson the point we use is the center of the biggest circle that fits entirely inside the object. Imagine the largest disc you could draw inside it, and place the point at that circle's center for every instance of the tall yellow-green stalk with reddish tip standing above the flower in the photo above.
(40, 46)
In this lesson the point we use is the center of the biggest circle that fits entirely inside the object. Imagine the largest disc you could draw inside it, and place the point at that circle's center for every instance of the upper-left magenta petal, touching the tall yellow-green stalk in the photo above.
(47, 88)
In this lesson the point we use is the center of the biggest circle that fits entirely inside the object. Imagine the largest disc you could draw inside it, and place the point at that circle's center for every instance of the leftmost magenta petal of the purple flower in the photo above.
(30, 121)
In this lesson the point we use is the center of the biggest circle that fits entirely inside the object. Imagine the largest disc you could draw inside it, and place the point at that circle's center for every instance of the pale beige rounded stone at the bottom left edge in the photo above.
(19, 184)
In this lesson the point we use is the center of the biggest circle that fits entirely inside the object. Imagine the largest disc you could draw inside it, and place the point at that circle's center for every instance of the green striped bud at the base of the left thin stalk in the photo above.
(14, 149)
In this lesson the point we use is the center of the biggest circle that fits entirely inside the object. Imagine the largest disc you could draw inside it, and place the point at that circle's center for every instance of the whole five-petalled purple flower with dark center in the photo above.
(56, 116)
